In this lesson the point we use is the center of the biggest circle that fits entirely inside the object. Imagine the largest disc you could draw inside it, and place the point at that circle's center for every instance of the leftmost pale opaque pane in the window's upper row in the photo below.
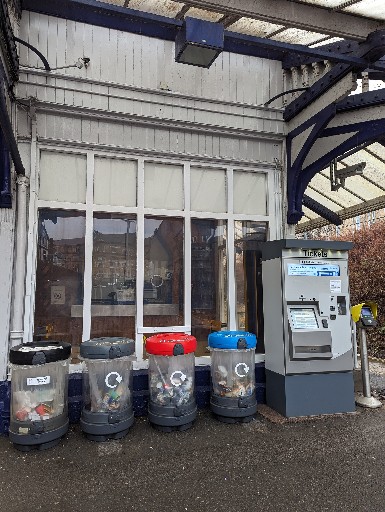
(62, 177)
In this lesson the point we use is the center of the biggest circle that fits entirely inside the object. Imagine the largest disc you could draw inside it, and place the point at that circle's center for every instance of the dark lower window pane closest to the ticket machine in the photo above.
(248, 277)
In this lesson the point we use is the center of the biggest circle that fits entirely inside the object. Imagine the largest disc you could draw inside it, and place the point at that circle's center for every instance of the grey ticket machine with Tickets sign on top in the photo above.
(307, 327)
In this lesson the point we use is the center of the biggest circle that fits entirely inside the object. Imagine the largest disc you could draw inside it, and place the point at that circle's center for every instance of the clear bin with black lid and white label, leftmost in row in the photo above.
(39, 385)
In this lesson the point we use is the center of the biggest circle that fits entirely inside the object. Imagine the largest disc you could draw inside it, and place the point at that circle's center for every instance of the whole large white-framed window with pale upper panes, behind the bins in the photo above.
(151, 246)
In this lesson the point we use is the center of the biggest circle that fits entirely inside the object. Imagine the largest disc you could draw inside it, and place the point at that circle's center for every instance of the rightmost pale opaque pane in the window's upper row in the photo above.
(250, 193)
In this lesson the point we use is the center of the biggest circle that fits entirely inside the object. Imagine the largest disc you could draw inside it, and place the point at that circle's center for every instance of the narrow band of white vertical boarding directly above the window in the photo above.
(127, 136)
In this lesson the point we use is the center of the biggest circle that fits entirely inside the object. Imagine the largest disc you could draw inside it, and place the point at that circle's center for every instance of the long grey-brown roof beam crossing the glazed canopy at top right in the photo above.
(298, 15)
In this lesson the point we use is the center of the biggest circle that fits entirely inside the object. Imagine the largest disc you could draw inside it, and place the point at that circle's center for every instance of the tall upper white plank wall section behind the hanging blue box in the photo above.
(144, 62)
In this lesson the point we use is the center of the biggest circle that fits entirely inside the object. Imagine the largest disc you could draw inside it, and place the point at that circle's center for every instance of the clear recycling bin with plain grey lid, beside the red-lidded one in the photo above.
(107, 388)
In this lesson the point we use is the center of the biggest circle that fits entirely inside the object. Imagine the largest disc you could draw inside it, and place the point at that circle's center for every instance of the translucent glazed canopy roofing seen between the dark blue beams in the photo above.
(312, 23)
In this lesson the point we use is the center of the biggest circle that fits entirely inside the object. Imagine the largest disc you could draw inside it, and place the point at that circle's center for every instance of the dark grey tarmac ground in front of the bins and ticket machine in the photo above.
(335, 463)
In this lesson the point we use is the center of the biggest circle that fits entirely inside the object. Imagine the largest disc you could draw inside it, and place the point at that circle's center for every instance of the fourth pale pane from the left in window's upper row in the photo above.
(208, 190)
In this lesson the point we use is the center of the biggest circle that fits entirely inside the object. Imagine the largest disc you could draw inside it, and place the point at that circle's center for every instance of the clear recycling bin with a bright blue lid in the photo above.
(233, 396)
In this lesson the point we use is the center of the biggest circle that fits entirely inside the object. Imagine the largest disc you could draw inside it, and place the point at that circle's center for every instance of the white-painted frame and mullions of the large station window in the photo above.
(271, 218)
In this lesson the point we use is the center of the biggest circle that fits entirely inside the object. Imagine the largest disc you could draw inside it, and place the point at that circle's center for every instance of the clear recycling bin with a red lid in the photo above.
(171, 374)
